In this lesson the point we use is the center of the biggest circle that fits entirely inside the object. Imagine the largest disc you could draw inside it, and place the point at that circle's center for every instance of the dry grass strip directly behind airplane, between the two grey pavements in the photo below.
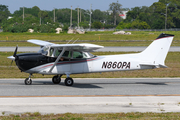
(172, 61)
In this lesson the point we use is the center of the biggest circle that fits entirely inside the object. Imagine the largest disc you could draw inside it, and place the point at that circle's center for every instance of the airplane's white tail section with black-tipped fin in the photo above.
(155, 54)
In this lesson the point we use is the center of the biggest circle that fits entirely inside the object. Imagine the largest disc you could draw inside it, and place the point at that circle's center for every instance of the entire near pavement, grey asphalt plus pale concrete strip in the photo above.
(90, 96)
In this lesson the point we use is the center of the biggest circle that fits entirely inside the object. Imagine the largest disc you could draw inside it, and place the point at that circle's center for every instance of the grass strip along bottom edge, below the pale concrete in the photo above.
(98, 116)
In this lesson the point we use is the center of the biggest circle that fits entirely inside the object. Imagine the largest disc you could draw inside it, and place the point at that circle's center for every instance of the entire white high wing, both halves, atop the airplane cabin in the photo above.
(80, 47)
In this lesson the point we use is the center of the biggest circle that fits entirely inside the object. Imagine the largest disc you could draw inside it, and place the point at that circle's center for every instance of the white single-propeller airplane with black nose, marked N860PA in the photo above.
(67, 59)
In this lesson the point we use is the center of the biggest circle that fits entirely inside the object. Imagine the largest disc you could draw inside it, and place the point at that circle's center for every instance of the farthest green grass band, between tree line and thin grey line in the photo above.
(106, 35)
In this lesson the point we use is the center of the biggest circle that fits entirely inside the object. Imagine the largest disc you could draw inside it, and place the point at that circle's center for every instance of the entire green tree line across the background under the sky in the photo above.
(152, 17)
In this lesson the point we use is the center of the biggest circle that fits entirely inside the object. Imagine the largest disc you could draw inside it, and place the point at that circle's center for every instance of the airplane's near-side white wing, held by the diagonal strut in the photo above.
(79, 47)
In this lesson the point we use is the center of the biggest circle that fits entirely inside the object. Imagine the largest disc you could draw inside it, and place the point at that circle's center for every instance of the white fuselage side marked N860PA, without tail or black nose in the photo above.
(97, 64)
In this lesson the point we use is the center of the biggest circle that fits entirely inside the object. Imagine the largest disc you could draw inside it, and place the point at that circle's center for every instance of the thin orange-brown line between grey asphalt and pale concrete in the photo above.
(93, 95)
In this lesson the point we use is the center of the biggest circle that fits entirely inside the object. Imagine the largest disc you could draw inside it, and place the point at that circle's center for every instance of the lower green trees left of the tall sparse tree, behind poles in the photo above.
(43, 21)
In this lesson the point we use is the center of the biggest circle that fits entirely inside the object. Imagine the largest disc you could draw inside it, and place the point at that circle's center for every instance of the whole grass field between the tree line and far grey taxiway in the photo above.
(105, 38)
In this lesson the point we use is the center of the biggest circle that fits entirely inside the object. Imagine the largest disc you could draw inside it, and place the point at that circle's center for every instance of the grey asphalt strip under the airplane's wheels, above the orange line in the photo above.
(91, 86)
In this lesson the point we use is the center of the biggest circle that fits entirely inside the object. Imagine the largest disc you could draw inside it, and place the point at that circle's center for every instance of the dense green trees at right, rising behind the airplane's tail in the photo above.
(153, 17)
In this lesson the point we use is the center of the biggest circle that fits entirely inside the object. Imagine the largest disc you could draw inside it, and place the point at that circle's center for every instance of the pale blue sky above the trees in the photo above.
(49, 5)
